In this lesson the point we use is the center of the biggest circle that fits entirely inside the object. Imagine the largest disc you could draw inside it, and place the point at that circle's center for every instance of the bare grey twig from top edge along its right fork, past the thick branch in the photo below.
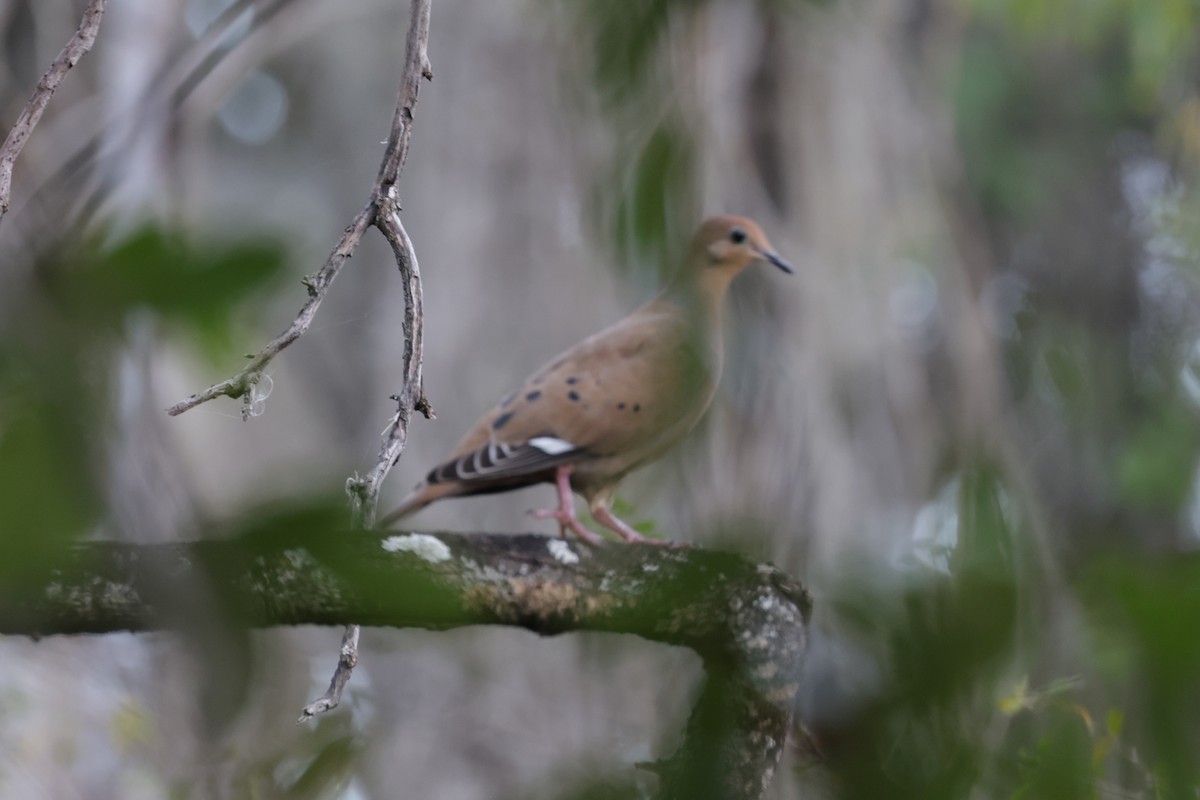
(365, 492)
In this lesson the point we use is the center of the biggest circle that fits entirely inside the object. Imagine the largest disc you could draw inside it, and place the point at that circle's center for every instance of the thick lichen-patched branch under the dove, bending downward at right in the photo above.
(747, 622)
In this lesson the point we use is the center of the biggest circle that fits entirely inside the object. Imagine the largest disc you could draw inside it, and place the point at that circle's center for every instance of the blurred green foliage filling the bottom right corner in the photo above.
(956, 715)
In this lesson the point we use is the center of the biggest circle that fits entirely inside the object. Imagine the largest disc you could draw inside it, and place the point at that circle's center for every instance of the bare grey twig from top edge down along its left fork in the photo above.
(417, 67)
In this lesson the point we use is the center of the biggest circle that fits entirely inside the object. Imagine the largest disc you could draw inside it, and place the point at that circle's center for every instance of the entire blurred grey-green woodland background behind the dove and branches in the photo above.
(970, 424)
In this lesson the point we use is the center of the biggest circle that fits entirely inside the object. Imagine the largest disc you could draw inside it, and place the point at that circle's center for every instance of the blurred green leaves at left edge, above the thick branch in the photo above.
(56, 359)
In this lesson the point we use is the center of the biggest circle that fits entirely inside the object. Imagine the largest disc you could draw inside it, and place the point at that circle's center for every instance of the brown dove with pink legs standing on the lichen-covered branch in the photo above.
(616, 401)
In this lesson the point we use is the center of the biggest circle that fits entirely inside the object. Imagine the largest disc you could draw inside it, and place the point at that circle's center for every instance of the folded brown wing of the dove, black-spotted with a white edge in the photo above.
(615, 393)
